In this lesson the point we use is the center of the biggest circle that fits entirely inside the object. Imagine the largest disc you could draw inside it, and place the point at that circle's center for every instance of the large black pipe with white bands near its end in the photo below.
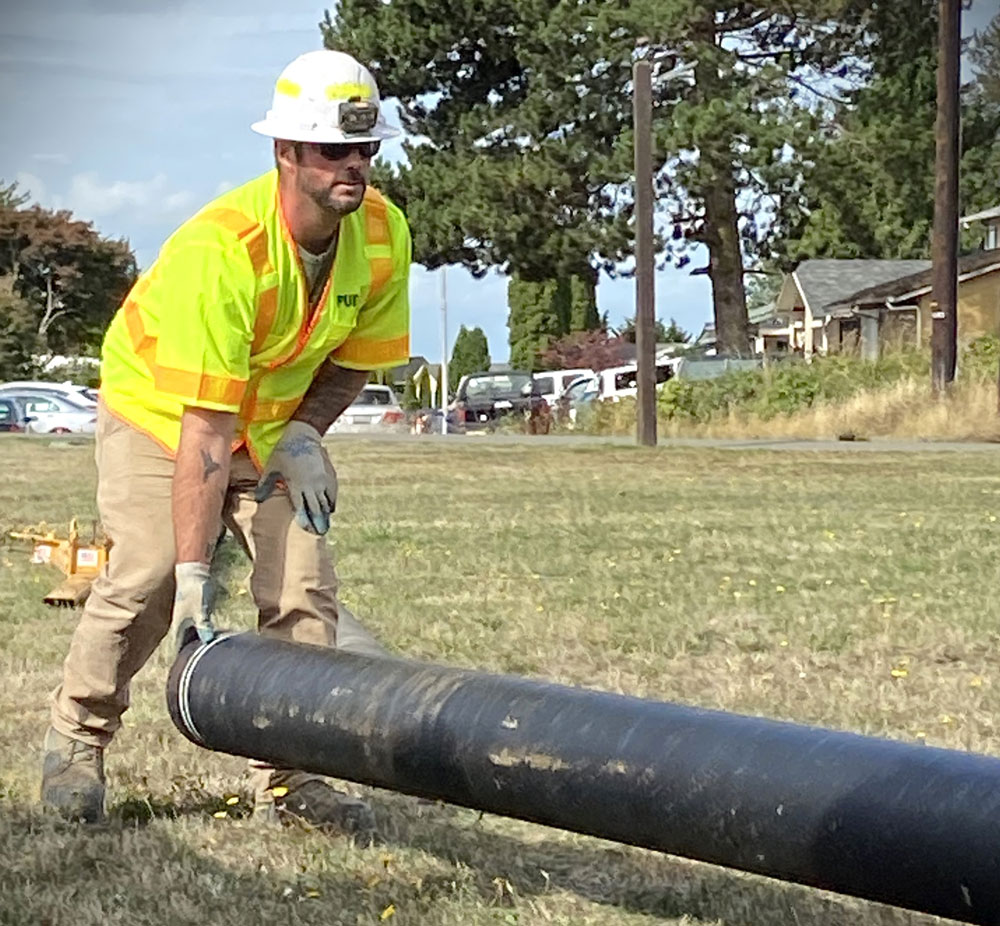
(907, 825)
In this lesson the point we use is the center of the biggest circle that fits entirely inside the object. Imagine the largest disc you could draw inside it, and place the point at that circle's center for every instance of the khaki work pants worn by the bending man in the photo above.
(293, 582)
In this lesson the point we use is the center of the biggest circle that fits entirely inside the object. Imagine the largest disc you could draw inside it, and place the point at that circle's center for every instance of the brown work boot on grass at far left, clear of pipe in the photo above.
(73, 778)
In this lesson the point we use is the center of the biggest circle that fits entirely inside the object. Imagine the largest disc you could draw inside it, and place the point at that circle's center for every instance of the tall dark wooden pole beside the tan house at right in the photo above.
(944, 245)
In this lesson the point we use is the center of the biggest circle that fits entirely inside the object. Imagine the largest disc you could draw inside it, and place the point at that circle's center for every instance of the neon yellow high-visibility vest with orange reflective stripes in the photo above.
(222, 320)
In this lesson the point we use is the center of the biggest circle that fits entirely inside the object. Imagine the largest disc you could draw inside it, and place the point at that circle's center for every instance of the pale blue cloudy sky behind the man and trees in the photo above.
(135, 113)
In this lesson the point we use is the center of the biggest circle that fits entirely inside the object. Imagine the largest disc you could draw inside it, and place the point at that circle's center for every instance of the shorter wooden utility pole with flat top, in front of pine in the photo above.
(645, 312)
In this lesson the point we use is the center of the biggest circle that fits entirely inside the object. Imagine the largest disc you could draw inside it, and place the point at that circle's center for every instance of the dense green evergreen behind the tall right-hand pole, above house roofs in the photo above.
(868, 187)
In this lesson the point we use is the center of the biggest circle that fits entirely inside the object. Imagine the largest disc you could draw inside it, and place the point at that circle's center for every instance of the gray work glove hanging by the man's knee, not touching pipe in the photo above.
(299, 461)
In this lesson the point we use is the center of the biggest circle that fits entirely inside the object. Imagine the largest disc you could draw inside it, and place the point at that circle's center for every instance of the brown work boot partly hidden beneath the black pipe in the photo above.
(300, 797)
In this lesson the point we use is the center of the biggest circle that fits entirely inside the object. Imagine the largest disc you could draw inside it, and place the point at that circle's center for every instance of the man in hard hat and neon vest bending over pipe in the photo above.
(254, 329)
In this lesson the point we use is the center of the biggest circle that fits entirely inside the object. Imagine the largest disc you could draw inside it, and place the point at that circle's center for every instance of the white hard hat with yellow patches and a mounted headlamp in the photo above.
(325, 96)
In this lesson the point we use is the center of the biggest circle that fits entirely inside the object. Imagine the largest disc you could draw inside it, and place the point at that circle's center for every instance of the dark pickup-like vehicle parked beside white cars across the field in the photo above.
(483, 400)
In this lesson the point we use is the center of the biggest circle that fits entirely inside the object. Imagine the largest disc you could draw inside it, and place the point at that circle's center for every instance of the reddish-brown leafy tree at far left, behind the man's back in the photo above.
(70, 277)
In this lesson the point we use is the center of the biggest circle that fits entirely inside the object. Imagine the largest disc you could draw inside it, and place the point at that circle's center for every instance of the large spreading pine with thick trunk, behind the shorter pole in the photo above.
(523, 113)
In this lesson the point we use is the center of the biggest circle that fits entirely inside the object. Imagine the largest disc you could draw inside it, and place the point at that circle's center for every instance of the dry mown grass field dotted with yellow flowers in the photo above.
(853, 591)
